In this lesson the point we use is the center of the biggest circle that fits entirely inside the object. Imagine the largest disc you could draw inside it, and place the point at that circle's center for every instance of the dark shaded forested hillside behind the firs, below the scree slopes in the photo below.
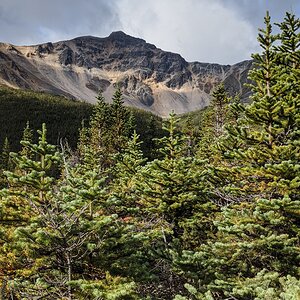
(63, 117)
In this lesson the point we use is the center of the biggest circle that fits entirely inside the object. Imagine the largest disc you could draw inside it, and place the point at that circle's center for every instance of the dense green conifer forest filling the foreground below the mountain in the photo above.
(209, 209)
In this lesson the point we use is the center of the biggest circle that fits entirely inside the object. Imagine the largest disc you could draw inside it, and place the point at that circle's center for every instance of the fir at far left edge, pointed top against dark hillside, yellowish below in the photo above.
(29, 185)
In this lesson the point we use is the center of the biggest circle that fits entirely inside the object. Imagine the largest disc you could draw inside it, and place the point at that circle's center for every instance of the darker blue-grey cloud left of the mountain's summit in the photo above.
(38, 21)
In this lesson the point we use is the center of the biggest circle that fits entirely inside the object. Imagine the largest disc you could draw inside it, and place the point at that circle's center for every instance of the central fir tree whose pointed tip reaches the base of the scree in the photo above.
(173, 202)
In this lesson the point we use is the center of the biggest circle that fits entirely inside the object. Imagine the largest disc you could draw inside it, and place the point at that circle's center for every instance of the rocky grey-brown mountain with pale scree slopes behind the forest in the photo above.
(150, 78)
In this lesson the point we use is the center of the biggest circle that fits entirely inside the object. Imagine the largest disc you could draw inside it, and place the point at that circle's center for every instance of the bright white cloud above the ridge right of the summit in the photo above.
(198, 30)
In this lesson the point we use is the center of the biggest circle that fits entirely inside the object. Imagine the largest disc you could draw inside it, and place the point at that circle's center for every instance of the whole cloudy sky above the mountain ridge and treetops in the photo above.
(216, 31)
